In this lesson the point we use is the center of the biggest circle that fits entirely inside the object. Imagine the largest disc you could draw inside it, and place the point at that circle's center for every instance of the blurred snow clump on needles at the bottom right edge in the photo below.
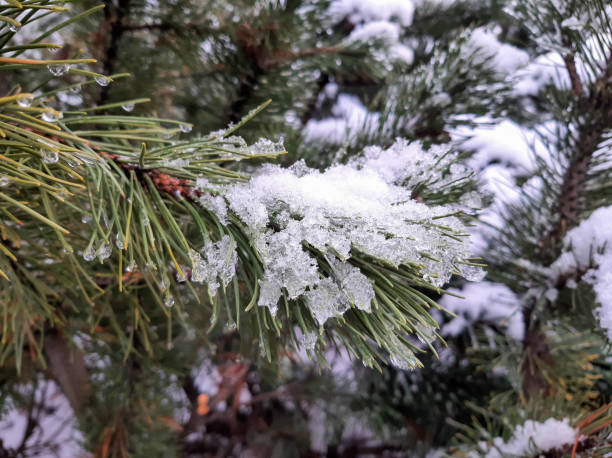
(531, 439)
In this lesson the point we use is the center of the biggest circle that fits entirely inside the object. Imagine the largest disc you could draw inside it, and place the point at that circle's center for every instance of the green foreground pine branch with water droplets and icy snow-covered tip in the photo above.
(99, 207)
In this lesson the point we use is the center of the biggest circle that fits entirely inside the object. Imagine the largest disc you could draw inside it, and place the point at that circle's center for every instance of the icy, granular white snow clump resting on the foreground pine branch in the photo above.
(366, 206)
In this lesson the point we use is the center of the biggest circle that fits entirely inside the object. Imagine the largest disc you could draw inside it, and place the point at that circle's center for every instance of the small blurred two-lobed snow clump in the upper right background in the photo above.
(503, 58)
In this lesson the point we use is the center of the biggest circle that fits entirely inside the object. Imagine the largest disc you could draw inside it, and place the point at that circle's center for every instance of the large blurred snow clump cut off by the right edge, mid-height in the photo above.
(589, 246)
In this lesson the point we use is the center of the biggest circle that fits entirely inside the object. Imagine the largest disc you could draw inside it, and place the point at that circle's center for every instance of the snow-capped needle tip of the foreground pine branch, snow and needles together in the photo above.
(350, 238)
